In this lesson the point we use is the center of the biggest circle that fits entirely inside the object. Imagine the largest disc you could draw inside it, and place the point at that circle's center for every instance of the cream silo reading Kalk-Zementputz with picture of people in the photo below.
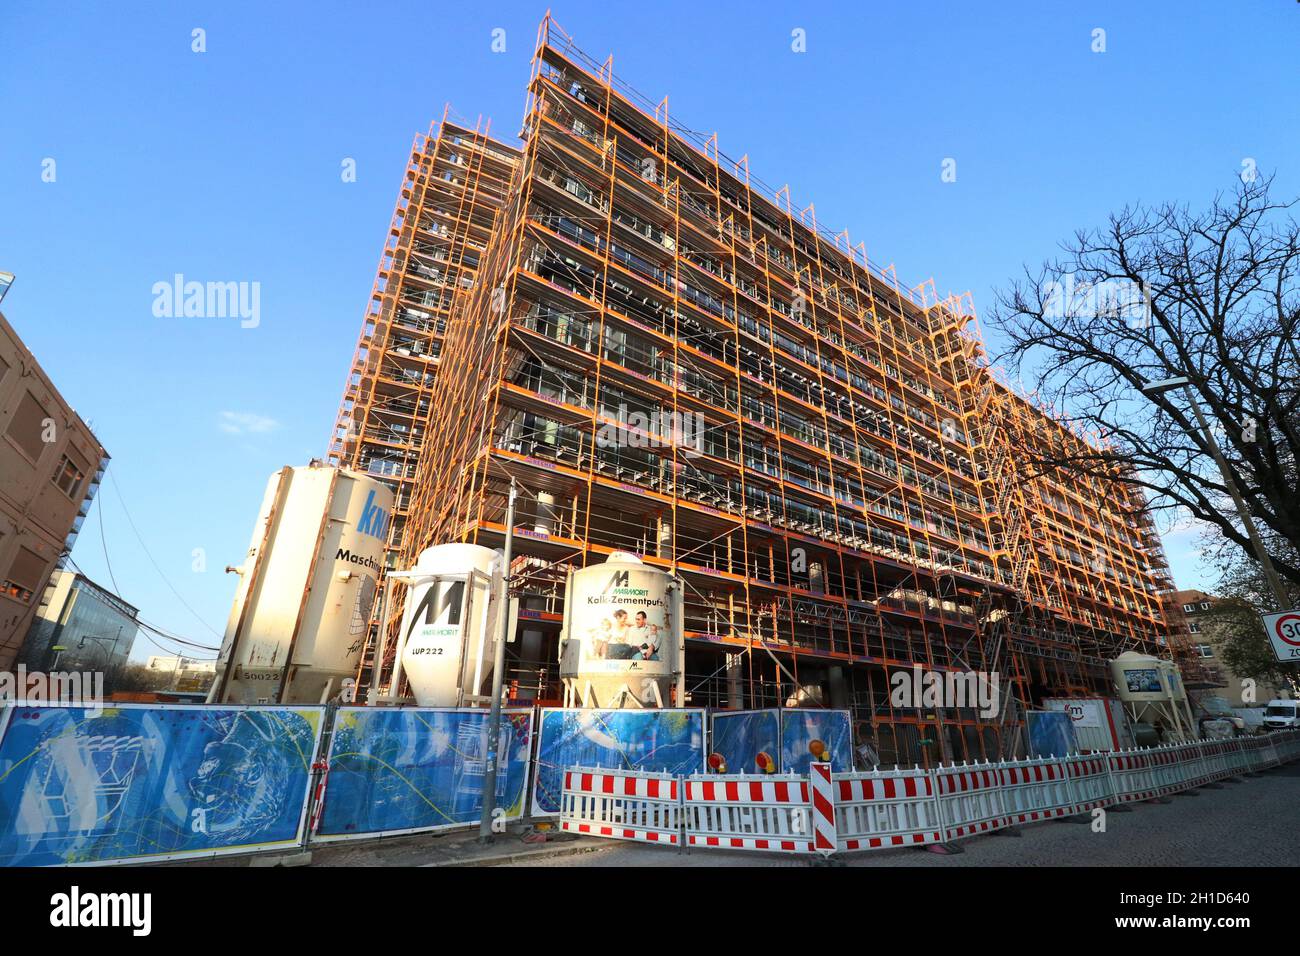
(622, 643)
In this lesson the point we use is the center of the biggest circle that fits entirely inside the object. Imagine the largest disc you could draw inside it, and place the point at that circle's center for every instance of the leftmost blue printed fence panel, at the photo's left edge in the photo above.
(145, 782)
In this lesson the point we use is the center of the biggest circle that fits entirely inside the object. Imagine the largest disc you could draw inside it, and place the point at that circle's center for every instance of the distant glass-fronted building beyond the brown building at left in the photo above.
(94, 628)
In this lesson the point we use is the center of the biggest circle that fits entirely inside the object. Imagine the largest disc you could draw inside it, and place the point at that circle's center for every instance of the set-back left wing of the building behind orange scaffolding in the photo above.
(447, 210)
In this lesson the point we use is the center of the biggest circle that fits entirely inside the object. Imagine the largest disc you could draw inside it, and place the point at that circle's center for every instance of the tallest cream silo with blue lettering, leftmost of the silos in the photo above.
(307, 587)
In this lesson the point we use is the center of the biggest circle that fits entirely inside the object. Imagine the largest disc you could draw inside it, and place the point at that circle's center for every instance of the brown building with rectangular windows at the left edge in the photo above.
(50, 469)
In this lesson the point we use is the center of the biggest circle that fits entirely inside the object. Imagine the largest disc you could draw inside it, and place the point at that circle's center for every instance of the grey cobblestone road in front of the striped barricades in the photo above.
(1253, 823)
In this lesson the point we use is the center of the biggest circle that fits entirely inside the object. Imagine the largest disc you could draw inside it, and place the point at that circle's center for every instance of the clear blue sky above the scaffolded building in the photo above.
(226, 166)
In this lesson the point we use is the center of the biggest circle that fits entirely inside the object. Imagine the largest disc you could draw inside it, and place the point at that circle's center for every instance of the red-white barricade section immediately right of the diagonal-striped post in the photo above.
(879, 811)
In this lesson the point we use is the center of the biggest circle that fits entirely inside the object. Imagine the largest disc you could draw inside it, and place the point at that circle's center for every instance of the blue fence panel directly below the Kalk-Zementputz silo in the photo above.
(665, 741)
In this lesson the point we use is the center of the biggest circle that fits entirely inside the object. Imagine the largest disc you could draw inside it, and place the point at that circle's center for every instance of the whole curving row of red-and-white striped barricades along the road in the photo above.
(826, 812)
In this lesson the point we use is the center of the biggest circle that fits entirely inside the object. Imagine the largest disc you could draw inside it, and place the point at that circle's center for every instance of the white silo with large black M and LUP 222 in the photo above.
(450, 625)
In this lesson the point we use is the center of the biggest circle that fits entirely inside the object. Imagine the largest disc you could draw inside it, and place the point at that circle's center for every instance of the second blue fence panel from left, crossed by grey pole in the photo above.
(404, 771)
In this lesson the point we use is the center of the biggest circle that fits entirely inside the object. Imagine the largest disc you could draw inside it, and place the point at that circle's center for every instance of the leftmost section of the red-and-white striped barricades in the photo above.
(622, 804)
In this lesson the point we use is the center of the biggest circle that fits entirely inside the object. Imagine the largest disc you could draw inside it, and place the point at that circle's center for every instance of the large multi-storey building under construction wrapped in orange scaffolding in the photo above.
(670, 358)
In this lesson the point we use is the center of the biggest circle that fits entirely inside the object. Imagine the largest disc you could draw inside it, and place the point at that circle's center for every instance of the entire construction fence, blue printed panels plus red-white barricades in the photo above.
(138, 784)
